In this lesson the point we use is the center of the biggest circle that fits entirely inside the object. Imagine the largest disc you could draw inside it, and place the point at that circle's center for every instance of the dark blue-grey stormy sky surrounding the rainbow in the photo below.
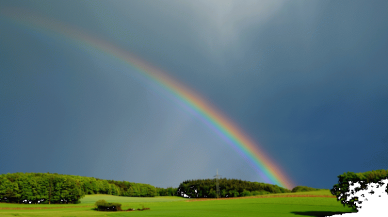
(307, 80)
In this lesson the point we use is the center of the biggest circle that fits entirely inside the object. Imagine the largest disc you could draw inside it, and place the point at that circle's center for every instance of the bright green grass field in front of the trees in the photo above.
(177, 206)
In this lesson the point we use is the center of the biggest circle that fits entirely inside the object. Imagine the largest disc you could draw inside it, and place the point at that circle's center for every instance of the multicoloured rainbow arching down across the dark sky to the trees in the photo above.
(208, 113)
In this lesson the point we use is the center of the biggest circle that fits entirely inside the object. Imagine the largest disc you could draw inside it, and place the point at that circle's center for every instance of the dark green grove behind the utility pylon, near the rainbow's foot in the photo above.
(206, 188)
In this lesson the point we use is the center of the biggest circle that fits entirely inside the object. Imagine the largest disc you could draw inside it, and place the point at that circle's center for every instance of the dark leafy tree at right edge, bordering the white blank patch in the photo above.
(343, 192)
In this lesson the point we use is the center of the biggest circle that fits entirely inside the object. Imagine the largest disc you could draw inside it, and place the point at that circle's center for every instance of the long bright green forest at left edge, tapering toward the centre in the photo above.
(56, 188)
